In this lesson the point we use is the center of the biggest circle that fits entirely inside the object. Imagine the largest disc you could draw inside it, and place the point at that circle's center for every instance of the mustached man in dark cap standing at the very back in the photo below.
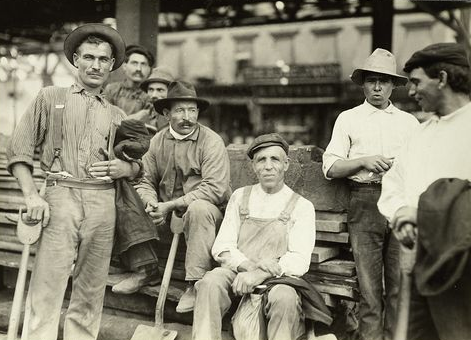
(127, 94)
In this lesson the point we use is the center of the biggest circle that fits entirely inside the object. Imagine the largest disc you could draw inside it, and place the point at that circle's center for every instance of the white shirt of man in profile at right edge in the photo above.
(439, 148)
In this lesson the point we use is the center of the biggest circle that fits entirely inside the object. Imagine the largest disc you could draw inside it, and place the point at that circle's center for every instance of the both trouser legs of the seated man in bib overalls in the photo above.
(285, 319)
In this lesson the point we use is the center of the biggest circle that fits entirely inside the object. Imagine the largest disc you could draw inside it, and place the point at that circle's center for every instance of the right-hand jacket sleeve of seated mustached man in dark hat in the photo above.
(215, 175)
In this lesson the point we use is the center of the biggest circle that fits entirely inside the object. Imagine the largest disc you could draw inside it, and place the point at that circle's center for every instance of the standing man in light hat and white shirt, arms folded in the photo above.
(364, 142)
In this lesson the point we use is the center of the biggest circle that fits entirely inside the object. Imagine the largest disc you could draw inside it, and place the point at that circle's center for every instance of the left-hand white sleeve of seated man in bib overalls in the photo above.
(226, 240)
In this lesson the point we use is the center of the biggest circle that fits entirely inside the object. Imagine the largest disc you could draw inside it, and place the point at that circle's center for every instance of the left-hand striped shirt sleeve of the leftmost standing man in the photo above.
(29, 133)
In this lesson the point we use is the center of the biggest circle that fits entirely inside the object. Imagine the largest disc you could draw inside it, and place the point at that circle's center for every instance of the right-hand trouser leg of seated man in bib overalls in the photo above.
(284, 314)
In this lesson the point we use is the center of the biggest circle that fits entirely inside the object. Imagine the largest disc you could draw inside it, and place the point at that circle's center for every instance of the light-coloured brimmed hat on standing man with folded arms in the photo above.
(380, 61)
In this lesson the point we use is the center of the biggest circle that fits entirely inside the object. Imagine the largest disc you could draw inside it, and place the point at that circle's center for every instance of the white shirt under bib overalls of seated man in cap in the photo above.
(301, 233)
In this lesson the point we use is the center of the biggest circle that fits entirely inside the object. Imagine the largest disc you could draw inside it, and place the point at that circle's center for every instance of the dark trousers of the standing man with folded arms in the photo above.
(376, 253)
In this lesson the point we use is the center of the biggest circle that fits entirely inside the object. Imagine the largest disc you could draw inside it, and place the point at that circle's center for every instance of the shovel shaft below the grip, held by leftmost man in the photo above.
(18, 296)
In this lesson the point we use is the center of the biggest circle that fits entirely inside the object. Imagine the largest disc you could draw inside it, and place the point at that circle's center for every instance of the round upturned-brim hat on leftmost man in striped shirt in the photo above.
(105, 32)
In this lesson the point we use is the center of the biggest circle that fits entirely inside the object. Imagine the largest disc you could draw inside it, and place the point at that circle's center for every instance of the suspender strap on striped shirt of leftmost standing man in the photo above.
(57, 116)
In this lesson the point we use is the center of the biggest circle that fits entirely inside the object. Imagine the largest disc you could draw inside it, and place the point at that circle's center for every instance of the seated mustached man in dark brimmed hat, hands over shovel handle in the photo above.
(187, 171)
